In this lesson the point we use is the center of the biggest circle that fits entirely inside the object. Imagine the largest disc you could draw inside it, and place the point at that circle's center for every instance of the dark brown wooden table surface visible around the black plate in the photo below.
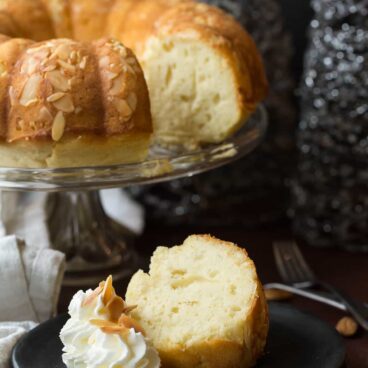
(346, 270)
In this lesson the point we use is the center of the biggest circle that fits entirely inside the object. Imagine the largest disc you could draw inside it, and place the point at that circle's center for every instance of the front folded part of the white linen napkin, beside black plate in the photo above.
(30, 283)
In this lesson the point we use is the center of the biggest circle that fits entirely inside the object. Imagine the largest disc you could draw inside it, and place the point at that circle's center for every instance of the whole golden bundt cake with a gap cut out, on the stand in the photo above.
(70, 95)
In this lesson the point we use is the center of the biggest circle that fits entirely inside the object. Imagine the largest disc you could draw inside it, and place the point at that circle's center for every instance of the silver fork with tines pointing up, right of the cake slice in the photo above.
(295, 271)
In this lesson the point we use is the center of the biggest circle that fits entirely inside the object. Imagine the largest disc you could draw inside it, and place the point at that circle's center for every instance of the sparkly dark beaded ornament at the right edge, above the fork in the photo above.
(331, 192)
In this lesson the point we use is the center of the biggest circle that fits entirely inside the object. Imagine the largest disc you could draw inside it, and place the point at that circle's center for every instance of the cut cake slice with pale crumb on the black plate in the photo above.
(202, 305)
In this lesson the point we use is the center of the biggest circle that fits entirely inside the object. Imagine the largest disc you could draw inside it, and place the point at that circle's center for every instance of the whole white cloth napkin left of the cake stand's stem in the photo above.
(30, 272)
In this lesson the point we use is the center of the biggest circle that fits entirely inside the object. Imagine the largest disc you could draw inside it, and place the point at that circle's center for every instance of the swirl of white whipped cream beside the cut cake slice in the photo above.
(88, 346)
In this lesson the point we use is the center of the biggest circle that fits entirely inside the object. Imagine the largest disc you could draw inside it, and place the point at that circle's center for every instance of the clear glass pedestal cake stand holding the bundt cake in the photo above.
(94, 244)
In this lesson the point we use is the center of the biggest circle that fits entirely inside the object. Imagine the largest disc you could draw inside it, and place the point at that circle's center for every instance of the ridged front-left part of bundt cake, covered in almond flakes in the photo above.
(61, 90)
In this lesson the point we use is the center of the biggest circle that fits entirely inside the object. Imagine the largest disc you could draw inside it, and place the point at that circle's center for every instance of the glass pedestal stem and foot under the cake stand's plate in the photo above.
(95, 246)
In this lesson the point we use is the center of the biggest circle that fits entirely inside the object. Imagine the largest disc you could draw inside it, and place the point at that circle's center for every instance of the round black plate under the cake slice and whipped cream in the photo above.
(296, 340)
